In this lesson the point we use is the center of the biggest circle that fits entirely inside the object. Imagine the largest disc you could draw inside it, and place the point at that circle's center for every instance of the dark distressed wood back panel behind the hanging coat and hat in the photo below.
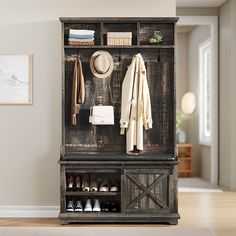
(160, 74)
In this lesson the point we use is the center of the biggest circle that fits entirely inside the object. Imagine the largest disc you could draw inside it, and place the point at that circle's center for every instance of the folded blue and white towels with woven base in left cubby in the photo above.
(81, 37)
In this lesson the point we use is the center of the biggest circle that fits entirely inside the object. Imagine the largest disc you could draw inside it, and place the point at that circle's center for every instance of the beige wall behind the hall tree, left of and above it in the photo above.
(31, 135)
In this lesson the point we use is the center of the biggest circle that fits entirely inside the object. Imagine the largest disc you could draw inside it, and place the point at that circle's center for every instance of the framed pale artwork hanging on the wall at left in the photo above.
(15, 79)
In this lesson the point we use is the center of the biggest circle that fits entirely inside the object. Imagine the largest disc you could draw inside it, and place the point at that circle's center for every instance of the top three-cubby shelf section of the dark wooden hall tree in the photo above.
(141, 30)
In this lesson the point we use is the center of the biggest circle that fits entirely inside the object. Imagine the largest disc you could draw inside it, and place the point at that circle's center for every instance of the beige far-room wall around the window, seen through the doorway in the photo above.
(188, 80)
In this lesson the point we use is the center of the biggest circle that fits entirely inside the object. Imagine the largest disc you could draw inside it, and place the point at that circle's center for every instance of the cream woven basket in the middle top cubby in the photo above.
(119, 38)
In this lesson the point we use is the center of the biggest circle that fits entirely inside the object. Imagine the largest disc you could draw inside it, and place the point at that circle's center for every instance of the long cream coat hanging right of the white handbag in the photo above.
(135, 105)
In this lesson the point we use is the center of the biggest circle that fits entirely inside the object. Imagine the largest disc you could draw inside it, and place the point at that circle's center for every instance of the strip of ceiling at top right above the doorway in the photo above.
(199, 3)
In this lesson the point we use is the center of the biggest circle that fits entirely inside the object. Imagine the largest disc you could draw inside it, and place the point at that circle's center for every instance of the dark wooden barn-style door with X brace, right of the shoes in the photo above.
(146, 190)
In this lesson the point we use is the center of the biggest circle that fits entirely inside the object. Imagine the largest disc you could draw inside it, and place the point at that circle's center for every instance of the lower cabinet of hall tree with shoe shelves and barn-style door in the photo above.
(147, 191)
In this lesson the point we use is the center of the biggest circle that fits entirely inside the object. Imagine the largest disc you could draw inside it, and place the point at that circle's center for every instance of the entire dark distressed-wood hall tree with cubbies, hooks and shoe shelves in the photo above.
(147, 183)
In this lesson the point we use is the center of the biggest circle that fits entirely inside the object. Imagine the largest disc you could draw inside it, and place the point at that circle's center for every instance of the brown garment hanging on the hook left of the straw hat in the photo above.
(78, 90)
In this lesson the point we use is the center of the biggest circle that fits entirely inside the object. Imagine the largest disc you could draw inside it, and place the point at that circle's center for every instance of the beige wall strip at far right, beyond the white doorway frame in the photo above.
(227, 85)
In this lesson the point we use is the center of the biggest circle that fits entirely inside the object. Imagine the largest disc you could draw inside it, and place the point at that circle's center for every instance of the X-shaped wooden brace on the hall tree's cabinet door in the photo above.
(146, 191)
